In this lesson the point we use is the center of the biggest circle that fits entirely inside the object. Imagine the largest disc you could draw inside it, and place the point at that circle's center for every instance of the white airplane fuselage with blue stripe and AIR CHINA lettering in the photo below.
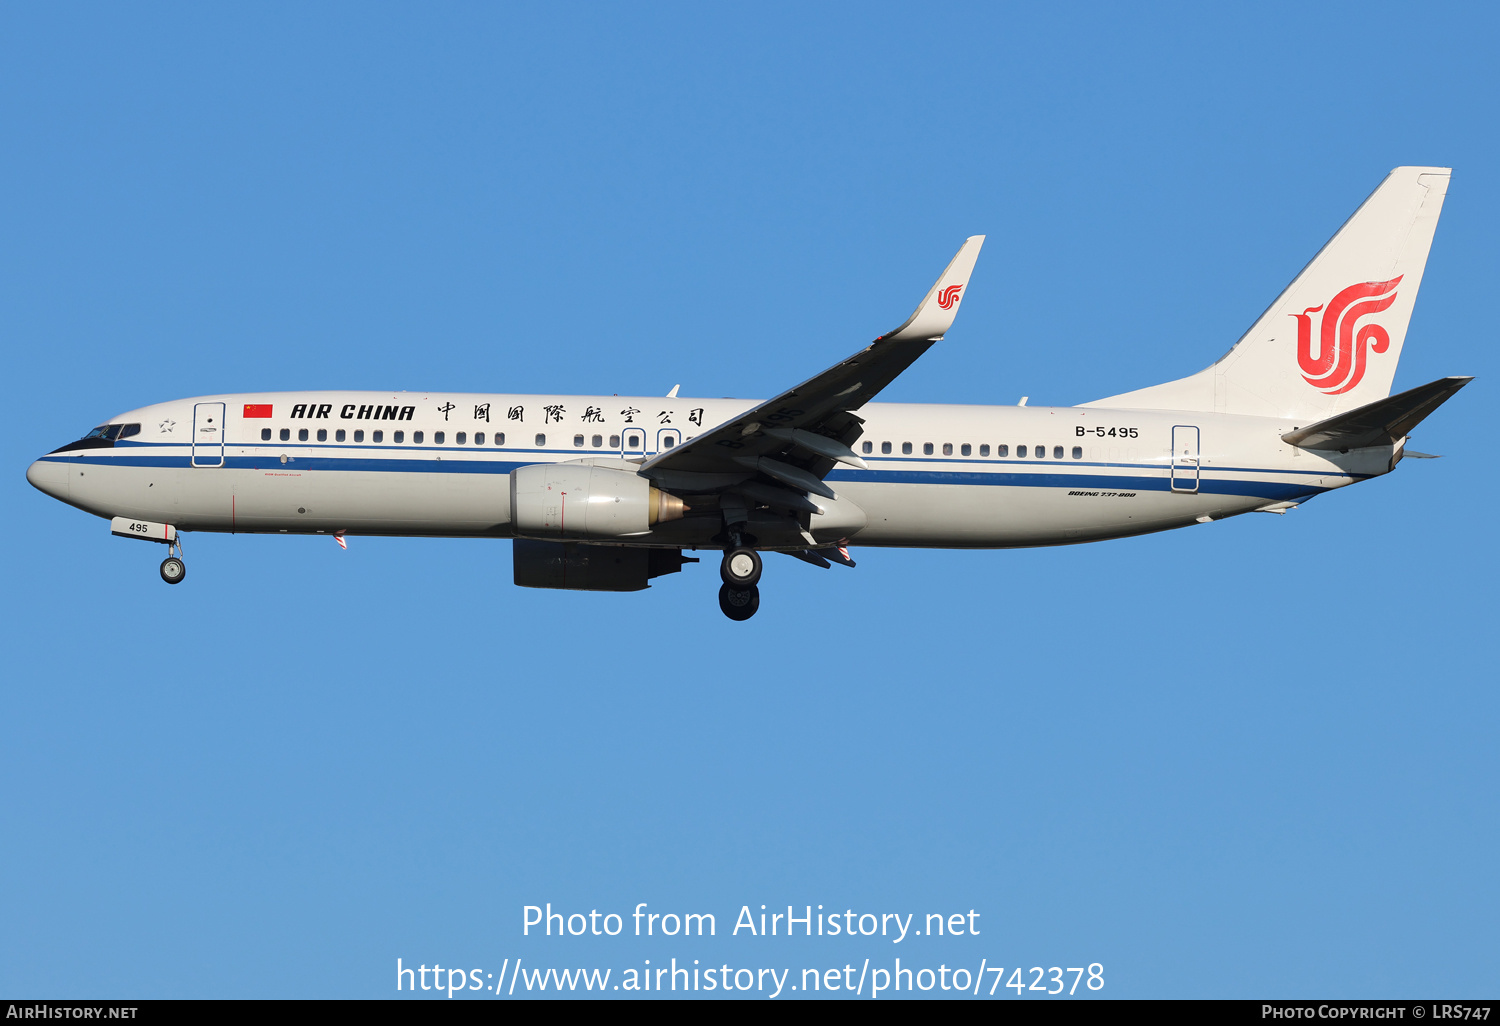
(940, 476)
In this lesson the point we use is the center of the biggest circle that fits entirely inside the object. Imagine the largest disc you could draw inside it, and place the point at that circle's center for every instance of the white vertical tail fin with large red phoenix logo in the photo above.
(1333, 338)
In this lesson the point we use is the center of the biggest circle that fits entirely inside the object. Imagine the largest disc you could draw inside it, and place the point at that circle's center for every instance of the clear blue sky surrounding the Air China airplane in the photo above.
(1255, 758)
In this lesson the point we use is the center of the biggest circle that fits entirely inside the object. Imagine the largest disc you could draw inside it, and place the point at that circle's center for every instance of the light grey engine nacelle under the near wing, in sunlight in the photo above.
(586, 502)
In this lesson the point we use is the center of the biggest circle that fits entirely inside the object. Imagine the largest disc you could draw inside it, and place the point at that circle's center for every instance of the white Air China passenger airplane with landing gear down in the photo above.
(610, 493)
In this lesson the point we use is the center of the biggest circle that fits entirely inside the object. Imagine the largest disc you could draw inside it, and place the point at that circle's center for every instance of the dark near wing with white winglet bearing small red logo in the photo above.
(796, 439)
